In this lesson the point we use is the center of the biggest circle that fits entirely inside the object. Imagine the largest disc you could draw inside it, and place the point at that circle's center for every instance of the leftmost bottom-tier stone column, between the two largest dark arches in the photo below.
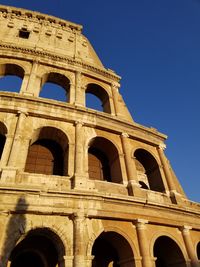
(79, 240)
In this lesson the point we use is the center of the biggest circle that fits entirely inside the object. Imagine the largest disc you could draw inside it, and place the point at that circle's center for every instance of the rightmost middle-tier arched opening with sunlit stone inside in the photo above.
(148, 171)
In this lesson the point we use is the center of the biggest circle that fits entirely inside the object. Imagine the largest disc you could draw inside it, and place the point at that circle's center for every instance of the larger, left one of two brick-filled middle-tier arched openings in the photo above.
(49, 153)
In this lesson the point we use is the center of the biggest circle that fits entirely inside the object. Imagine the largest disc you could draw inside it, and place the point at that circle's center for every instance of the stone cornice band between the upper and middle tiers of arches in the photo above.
(135, 130)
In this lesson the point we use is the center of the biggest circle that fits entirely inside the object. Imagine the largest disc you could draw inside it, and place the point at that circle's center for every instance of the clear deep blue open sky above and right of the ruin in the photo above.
(155, 47)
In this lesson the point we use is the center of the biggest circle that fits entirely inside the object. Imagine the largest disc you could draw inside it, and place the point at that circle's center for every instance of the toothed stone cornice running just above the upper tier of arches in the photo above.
(56, 57)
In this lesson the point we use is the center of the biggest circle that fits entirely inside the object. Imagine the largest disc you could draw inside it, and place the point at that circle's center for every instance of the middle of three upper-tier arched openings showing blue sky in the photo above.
(55, 86)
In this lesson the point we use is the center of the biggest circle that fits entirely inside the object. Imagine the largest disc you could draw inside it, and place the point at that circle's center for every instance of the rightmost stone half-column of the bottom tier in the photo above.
(185, 230)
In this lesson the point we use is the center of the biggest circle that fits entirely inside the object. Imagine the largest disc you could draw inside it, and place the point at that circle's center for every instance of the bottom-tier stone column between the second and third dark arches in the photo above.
(143, 243)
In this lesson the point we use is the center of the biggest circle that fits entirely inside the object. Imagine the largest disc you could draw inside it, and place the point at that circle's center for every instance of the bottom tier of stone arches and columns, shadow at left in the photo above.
(78, 241)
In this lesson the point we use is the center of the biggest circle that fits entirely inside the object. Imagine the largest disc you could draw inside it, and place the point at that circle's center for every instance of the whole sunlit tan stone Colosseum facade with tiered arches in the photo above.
(81, 186)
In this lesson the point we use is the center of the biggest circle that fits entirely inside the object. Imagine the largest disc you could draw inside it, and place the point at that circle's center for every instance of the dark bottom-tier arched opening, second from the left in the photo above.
(111, 249)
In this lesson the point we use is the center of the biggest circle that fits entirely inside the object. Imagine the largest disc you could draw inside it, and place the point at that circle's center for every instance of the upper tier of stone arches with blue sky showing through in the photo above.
(60, 86)
